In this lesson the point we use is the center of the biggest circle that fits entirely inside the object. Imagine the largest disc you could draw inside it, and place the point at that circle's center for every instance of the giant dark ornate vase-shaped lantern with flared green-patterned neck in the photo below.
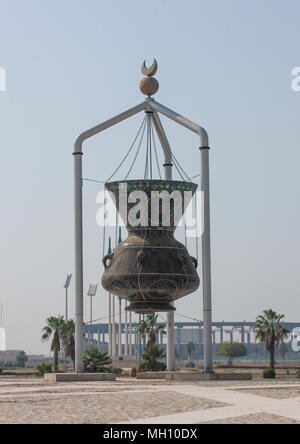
(150, 268)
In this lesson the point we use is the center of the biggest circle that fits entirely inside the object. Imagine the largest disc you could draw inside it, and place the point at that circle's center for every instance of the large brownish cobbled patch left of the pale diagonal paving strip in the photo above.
(97, 408)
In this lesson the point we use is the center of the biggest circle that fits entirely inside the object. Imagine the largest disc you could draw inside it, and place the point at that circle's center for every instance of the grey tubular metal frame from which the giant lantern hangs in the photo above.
(148, 105)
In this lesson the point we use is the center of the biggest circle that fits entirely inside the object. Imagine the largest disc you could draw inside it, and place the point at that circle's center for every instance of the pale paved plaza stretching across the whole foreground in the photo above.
(32, 401)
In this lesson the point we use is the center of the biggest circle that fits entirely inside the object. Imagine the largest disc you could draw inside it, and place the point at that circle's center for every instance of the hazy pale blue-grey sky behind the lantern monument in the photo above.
(225, 64)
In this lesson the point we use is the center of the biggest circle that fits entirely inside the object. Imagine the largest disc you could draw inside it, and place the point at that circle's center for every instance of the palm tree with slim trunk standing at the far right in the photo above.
(268, 330)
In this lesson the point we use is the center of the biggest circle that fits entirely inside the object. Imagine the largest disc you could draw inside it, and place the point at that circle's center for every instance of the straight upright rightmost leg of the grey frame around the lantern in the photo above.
(206, 263)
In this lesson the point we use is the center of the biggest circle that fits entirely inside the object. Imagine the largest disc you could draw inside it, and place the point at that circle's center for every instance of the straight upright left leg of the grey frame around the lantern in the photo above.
(78, 262)
